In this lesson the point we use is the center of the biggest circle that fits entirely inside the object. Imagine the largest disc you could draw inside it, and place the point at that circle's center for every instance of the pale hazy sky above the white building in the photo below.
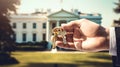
(104, 7)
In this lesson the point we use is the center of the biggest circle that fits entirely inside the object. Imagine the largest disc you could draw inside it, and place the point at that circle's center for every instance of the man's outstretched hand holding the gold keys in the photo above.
(84, 35)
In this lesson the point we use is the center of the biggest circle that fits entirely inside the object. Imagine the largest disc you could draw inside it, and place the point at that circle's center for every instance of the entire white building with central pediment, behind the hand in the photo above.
(38, 27)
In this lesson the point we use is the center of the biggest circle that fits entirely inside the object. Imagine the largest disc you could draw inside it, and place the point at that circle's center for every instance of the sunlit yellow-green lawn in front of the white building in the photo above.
(61, 59)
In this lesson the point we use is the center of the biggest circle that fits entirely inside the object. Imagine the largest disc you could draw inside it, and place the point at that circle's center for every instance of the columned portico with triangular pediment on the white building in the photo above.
(58, 18)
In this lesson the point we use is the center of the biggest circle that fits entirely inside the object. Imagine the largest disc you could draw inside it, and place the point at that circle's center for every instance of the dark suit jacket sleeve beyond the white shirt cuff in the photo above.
(117, 32)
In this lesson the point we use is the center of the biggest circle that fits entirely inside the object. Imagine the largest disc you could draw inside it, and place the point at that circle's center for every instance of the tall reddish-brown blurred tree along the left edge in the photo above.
(6, 7)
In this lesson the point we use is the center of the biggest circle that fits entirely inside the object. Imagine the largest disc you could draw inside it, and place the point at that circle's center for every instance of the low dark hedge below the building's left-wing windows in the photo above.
(32, 46)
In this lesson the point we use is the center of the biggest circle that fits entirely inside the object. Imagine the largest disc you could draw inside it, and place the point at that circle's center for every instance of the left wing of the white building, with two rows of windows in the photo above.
(28, 27)
